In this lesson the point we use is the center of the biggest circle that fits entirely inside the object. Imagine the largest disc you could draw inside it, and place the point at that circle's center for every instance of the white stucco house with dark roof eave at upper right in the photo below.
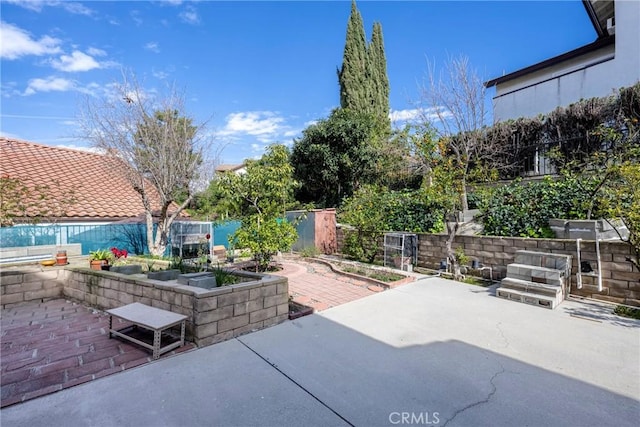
(598, 69)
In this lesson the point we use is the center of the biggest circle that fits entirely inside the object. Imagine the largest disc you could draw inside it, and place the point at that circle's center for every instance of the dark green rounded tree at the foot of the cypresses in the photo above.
(335, 157)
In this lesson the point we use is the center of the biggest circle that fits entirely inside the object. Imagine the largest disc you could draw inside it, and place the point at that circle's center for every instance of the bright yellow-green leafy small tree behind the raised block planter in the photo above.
(259, 198)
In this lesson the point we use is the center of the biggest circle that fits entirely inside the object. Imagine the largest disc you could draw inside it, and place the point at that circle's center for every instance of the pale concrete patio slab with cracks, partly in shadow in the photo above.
(434, 352)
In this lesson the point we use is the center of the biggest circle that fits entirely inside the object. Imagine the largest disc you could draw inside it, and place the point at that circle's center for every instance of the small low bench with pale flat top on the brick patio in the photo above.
(151, 318)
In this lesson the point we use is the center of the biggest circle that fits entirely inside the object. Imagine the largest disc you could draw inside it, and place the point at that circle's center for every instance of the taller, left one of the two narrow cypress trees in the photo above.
(352, 76)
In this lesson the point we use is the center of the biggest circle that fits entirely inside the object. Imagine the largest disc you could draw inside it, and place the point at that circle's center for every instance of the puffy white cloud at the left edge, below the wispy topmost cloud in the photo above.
(16, 42)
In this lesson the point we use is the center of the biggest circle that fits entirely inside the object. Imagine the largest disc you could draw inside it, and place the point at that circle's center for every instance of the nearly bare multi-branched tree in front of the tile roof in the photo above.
(155, 145)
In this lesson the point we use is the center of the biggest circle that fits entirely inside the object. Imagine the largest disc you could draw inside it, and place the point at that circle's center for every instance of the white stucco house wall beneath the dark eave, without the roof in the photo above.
(595, 74)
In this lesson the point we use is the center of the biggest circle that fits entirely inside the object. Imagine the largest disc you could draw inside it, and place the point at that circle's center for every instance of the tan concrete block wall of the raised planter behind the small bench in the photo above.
(213, 315)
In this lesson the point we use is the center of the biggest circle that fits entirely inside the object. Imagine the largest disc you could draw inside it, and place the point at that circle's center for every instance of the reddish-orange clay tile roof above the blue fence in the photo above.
(99, 193)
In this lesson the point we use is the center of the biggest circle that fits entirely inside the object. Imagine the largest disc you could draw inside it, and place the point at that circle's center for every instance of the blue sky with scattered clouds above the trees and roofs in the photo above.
(257, 72)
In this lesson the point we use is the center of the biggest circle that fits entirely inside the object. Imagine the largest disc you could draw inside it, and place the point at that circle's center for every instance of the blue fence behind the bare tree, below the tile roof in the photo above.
(132, 237)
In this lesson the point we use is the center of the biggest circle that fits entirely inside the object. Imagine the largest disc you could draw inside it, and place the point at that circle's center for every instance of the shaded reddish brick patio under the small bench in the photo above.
(57, 344)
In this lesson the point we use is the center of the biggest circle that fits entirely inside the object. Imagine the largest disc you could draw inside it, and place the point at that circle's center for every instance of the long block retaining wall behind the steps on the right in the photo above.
(621, 282)
